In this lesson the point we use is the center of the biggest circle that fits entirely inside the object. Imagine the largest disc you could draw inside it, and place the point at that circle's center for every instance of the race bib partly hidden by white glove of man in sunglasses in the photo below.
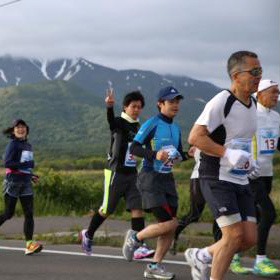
(240, 144)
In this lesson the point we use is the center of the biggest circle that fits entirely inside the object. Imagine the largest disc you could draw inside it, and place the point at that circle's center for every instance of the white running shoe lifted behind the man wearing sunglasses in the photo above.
(199, 270)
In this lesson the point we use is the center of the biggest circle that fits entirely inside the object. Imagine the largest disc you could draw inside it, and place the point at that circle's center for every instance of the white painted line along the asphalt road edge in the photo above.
(83, 255)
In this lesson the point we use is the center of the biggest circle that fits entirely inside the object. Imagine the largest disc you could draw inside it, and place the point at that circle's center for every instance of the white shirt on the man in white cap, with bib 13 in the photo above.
(268, 122)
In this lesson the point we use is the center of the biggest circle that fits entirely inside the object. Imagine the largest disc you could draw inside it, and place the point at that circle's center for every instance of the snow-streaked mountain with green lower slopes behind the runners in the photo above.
(63, 99)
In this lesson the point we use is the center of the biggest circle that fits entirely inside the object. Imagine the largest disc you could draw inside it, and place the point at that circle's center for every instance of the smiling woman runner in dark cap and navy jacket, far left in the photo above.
(18, 161)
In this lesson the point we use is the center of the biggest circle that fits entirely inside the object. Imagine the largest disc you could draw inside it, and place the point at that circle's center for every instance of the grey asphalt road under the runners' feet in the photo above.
(68, 262)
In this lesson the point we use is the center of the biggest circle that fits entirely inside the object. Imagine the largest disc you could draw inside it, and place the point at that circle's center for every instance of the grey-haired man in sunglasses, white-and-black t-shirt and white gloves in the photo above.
(223, 133)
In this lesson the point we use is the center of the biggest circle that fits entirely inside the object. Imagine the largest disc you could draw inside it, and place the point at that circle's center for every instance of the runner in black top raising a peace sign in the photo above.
(121, 172)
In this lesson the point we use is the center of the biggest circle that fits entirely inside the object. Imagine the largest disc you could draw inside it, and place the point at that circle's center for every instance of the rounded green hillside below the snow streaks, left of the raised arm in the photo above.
(63, 117)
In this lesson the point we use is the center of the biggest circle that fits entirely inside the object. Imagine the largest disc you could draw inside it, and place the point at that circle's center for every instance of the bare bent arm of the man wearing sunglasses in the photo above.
(199, 138)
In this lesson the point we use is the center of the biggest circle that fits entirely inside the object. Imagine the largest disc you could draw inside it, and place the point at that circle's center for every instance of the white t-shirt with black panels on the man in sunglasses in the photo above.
(230, 123)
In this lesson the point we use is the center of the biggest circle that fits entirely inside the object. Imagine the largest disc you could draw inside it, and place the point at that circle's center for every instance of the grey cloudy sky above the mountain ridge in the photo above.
(184, 37)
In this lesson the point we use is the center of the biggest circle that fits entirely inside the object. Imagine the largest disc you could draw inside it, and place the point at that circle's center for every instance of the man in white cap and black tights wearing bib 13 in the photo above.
(267, 135)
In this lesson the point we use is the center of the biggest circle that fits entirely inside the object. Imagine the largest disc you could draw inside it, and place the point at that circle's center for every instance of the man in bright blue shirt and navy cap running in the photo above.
(162, 140)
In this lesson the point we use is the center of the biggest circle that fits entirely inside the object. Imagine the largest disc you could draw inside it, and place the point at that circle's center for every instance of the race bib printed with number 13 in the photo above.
(268, 138)
